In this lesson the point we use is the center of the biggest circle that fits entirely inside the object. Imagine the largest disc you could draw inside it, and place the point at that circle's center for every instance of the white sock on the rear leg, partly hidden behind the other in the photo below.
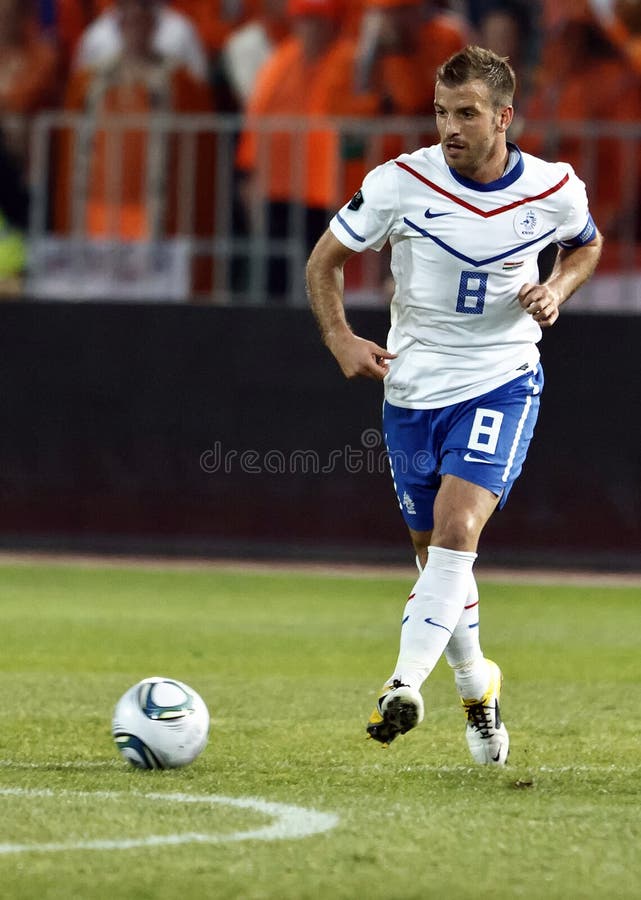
(464, 653)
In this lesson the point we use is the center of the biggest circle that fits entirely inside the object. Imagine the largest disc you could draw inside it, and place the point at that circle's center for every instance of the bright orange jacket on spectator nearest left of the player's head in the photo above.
(305, 167)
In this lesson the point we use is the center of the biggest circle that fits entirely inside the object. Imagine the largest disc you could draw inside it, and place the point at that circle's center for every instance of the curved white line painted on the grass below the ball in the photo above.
(289, 822)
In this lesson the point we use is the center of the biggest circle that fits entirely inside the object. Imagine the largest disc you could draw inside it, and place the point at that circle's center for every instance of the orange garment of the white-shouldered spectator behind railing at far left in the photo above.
(129, 176)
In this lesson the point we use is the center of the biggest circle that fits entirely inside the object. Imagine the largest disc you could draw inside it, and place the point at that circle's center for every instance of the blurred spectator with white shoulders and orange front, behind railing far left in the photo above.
(118, 178)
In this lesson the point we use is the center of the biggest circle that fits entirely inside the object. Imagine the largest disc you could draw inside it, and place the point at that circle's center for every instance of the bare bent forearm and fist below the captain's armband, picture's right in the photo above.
(572, 268)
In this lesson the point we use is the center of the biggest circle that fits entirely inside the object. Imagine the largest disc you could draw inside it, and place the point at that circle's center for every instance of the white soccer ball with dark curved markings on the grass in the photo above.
(160, 723)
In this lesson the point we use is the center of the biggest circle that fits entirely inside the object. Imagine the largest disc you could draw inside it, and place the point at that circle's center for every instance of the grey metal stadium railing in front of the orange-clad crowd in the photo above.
(205, 236)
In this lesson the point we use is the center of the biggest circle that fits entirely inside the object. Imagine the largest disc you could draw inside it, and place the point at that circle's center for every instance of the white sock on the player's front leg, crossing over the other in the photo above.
(432, 612)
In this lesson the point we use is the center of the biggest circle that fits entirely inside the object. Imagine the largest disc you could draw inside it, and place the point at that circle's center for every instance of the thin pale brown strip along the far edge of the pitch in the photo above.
(572, 577)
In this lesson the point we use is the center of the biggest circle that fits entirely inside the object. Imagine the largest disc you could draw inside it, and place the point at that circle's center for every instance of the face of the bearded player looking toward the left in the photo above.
(471, 129)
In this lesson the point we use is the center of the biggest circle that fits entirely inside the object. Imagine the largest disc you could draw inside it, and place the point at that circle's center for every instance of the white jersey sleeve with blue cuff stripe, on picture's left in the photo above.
(368, 219)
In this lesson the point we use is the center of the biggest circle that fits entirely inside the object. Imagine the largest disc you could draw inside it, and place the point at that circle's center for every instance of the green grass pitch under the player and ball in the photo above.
(289, 665)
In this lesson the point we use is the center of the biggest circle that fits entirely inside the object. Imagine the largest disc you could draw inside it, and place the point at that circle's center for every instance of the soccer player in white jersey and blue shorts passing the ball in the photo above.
(466, 219)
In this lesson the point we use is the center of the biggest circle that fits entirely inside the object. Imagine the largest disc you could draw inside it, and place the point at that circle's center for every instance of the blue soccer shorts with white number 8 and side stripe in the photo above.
(483, 440)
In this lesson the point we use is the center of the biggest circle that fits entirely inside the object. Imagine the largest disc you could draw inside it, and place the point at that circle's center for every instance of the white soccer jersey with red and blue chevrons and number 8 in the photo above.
(461, 251)
